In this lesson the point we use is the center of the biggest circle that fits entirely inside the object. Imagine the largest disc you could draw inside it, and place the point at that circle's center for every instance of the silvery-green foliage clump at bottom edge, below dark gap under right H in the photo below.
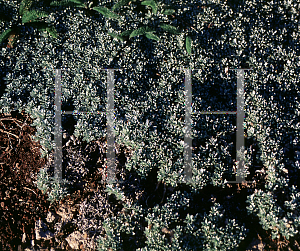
(190, 232)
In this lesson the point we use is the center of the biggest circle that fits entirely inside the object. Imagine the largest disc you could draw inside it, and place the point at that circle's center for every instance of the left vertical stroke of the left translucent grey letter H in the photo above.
(58, 130)
